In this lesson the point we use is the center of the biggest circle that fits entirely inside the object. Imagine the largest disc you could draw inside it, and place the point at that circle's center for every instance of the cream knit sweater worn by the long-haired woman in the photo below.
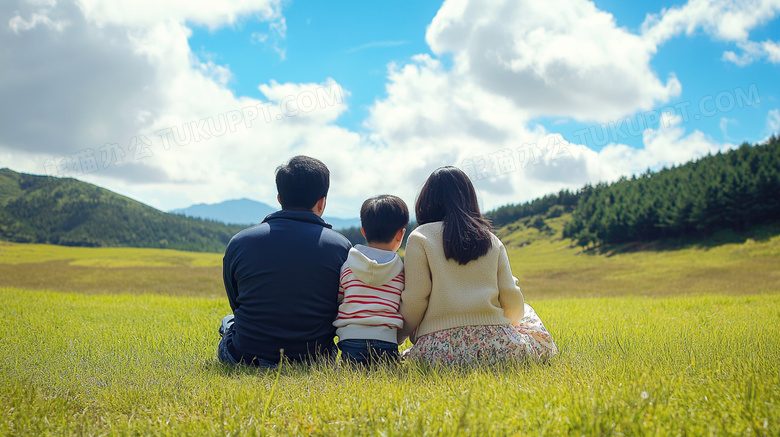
(442, 294)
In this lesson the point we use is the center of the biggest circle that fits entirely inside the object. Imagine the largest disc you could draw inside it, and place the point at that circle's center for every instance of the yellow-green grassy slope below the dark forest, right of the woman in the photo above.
(548, 266)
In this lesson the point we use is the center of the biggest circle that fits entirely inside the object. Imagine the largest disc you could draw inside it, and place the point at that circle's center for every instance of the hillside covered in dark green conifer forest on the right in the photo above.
(734, 190)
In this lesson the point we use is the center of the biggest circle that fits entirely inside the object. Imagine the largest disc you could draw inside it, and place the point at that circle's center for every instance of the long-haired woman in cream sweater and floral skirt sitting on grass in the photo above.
(461, 303)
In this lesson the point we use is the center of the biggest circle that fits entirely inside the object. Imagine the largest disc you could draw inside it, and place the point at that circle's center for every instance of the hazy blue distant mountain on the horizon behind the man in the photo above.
(247, 212)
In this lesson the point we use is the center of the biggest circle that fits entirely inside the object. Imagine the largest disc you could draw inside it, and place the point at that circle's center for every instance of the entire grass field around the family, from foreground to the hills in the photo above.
(122, 341)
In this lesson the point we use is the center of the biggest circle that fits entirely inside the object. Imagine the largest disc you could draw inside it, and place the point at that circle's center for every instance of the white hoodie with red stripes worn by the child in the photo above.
(370, 293)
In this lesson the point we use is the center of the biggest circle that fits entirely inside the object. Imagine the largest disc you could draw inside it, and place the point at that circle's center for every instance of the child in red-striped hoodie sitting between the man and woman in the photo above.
(371, 283)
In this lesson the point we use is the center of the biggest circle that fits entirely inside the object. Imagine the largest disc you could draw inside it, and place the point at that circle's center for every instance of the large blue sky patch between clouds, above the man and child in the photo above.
(352, 42)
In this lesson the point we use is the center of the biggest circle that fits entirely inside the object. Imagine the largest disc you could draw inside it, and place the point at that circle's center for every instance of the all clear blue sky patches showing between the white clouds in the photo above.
(355, 41)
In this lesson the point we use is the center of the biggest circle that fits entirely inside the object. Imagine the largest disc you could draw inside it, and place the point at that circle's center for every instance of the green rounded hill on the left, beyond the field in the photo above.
(65, 211)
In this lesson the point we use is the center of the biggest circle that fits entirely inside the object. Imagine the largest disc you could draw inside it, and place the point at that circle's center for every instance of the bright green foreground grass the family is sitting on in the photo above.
(145, 364)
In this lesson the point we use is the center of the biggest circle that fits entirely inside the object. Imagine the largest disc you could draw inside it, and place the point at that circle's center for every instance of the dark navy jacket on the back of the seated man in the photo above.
(281, 278)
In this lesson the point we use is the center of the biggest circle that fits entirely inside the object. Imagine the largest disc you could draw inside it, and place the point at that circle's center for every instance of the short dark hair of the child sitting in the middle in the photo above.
(382, 216)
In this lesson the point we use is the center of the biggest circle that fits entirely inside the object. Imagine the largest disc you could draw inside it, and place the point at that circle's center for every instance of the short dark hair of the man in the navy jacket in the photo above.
(301, 182)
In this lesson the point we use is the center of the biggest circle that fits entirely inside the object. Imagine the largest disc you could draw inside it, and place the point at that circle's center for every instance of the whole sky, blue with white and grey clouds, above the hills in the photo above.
(526, 97)
